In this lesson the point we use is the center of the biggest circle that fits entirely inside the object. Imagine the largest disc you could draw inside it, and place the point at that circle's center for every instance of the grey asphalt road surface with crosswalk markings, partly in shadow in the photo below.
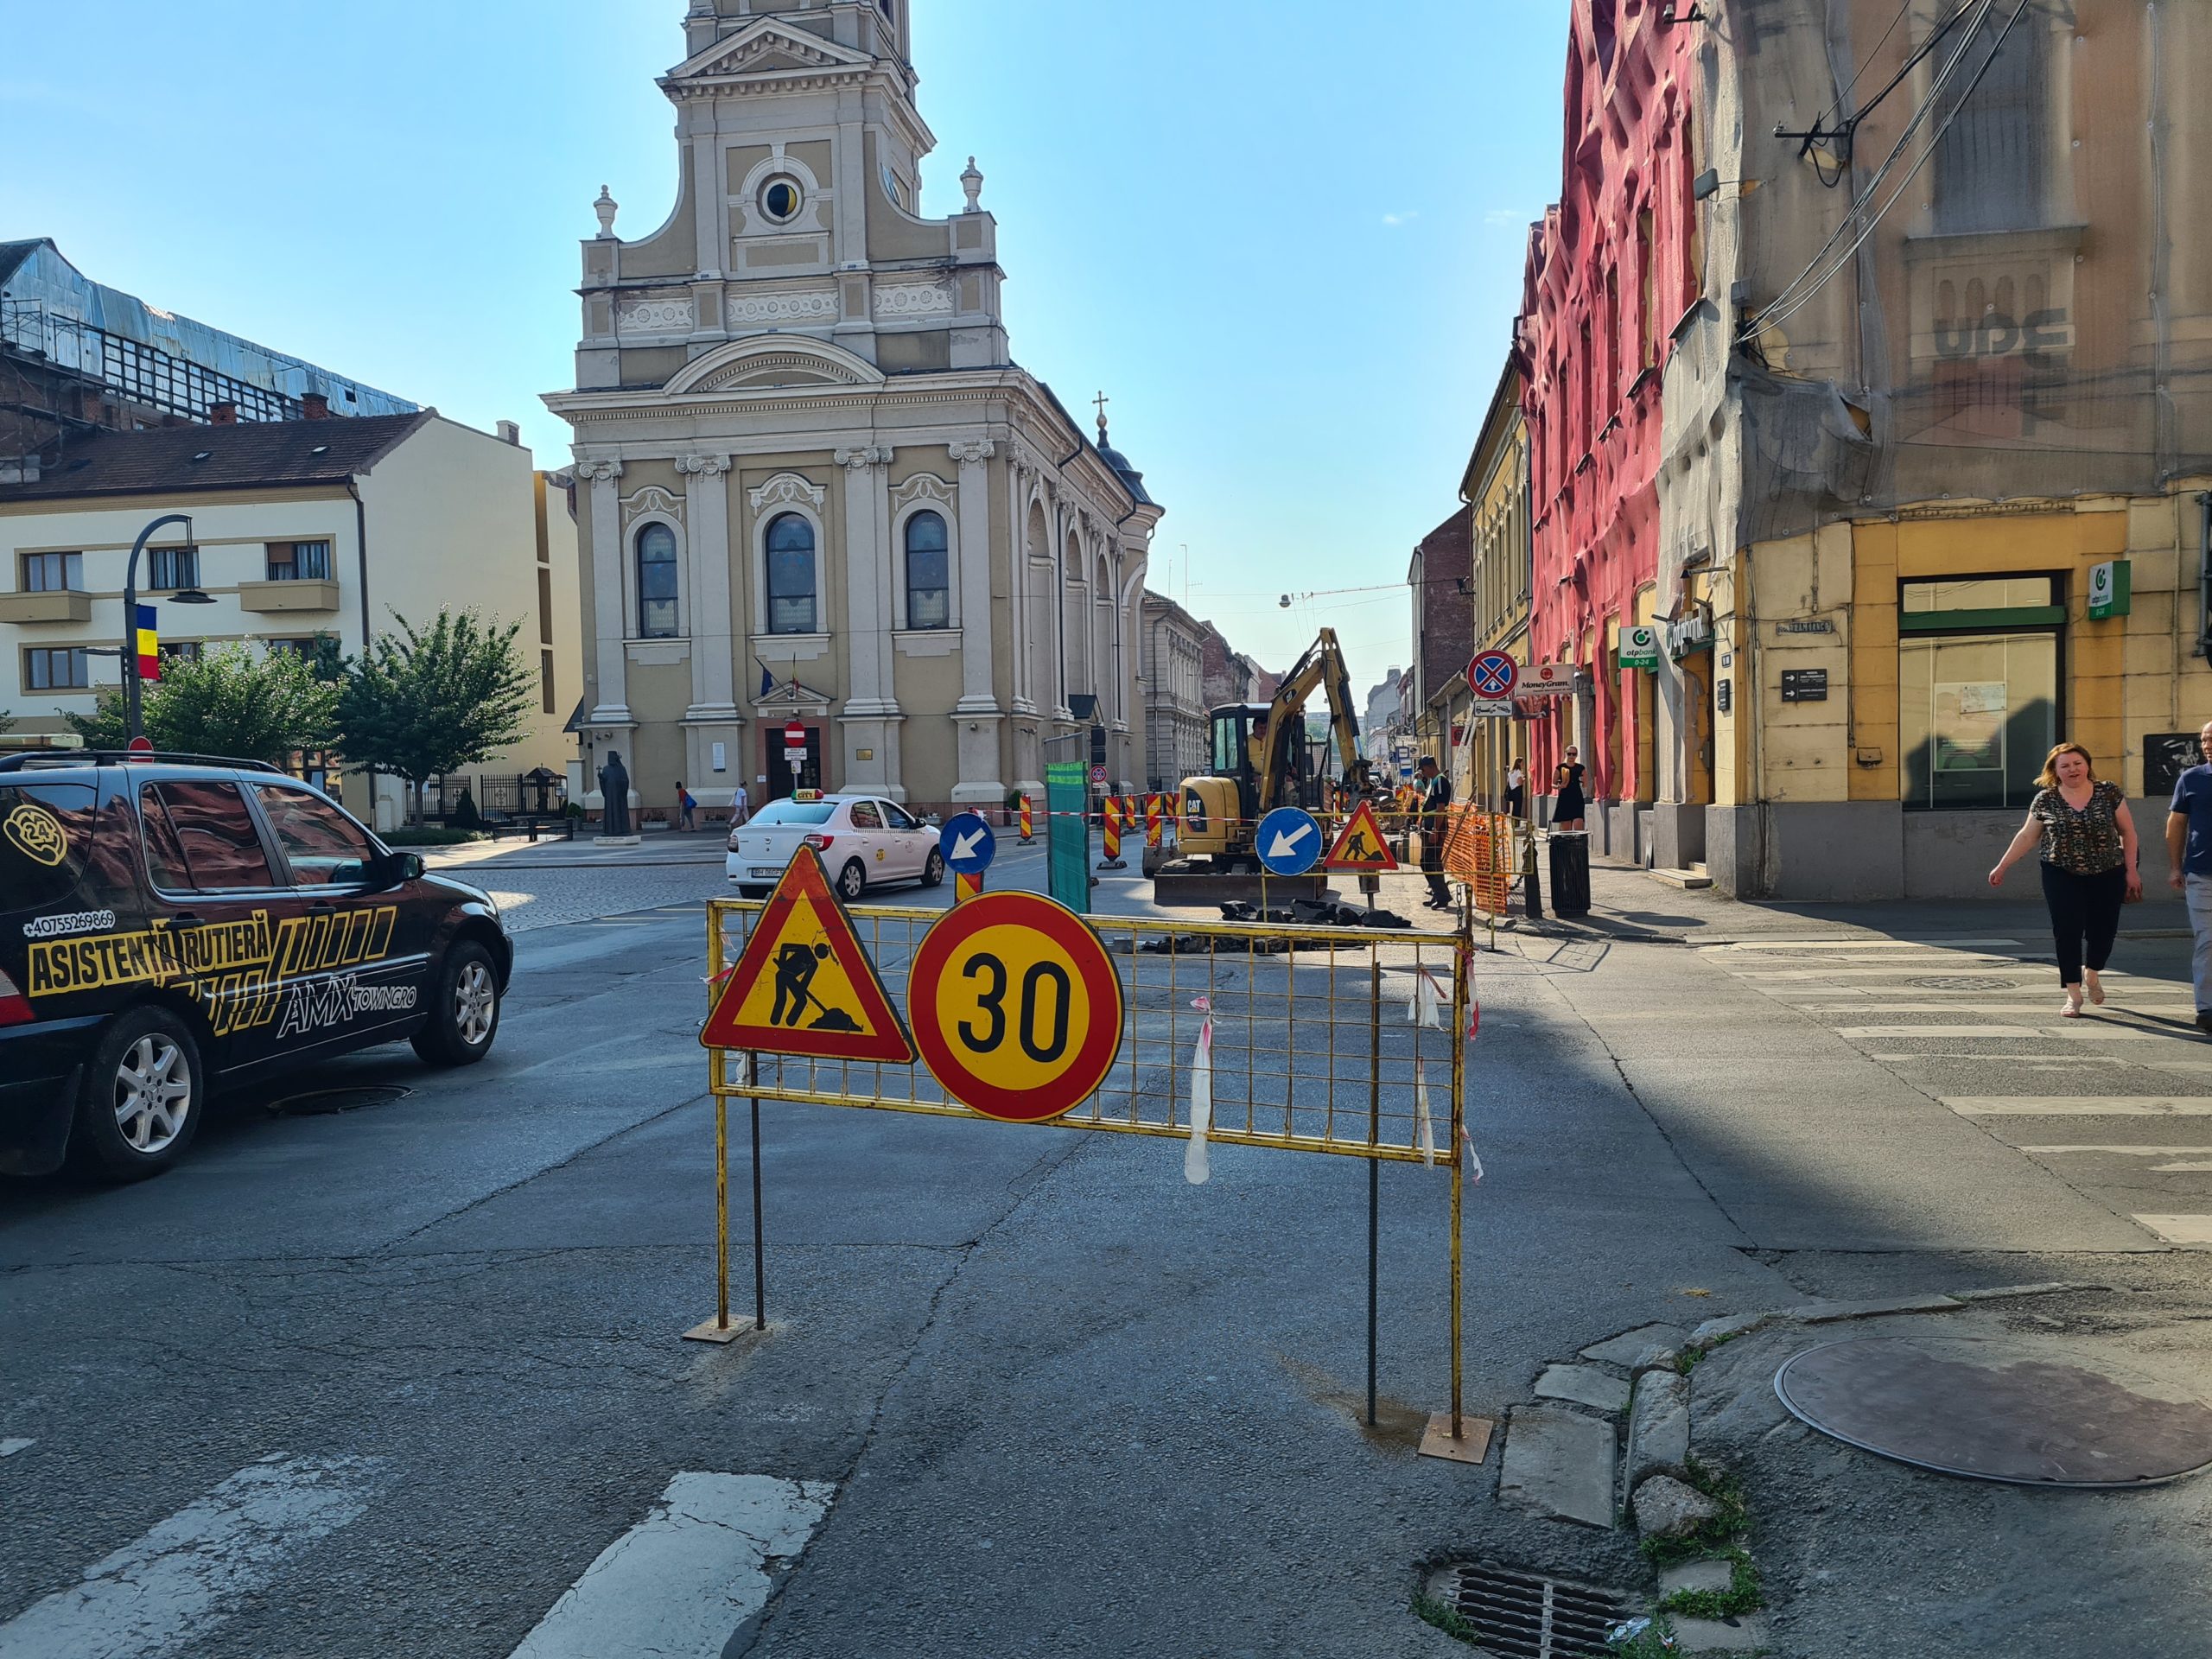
(408, 1379)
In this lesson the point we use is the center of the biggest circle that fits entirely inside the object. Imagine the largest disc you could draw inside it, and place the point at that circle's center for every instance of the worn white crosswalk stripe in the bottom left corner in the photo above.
(180, 1580)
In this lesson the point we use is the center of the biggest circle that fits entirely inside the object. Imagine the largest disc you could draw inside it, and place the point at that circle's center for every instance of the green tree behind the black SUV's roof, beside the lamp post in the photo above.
(231, 700)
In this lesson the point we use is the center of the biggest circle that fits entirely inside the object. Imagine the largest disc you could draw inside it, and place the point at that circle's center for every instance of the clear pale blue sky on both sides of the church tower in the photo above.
(1282, 236)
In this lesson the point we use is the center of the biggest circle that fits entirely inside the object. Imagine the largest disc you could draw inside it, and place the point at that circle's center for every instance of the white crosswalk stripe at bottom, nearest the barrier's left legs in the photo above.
(689, 1574)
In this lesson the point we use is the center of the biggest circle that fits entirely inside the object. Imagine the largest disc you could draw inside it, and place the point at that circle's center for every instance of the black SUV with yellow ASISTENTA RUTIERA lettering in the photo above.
(169, 921)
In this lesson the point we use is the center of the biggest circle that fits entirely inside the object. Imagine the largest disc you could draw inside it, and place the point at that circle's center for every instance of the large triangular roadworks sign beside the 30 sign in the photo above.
(804, 983)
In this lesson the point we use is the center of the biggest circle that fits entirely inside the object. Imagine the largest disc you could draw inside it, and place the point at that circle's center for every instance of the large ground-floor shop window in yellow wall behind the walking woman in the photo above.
(1979, 689)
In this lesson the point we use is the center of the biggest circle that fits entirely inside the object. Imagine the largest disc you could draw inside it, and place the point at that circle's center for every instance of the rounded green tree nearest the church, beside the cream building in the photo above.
(424, 702)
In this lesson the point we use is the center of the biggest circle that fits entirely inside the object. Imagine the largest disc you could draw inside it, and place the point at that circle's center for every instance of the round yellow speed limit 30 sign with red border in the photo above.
(1016, 1008)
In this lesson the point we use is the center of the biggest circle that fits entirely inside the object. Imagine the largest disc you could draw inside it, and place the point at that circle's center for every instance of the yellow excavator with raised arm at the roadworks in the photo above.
(1262, 762)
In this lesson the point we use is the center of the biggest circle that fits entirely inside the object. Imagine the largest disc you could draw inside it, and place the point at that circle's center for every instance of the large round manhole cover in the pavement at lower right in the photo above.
(1999, 1410)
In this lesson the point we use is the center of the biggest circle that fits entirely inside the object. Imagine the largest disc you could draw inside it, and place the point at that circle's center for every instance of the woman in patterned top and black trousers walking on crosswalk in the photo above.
(2089, 859)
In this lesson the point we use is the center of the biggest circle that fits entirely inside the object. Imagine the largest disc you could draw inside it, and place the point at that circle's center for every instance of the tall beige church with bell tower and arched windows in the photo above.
(813, 483)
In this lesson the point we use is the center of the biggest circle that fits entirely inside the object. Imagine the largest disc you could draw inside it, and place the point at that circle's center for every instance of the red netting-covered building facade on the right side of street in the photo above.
(1614, 269)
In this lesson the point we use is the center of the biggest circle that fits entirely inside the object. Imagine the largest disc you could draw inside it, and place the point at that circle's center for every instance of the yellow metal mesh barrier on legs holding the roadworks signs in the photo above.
(1324, 1041)
